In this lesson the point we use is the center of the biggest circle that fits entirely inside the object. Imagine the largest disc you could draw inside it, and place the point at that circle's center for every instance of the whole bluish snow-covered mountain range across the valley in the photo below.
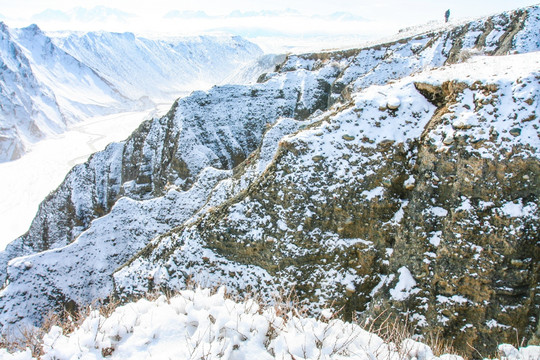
(48, 83)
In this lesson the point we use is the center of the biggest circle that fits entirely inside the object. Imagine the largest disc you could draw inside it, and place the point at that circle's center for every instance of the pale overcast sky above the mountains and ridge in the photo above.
(330, 21)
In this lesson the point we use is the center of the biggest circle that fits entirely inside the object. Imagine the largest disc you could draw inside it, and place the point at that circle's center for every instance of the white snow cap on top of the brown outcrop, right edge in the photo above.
(499, 105)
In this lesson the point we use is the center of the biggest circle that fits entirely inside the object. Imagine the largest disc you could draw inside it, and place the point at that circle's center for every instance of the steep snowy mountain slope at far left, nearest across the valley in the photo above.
(44, 90)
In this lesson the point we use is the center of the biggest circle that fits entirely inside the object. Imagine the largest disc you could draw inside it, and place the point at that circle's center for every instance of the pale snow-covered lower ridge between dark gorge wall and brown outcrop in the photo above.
(86, 262)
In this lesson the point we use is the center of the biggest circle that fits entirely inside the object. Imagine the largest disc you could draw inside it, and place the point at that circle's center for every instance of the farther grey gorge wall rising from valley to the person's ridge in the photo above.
(152, 160)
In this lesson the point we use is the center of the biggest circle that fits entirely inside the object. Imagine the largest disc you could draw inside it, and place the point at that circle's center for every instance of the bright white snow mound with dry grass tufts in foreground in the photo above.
(196, 324)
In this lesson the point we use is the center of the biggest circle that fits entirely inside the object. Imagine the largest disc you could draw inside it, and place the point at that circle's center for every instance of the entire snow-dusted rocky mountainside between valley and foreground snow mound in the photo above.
(392, 178)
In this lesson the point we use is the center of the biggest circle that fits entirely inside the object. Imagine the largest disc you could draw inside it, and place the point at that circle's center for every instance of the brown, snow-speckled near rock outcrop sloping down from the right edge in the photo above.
(368, 219)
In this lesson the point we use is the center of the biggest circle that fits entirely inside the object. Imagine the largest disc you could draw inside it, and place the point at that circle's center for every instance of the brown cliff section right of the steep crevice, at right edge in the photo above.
(474, 255)
